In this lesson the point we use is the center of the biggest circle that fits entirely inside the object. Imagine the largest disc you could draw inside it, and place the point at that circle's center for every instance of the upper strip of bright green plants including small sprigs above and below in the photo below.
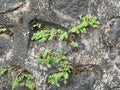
(46, 34)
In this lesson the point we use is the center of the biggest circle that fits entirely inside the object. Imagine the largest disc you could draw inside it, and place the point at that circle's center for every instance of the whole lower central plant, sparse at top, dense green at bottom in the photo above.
(63, 66)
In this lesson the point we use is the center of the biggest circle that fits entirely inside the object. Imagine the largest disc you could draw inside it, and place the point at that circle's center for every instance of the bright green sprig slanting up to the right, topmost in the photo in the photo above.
(88, 20)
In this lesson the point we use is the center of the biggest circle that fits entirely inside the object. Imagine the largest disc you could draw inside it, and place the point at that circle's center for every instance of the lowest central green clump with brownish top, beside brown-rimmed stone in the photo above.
(63, 73)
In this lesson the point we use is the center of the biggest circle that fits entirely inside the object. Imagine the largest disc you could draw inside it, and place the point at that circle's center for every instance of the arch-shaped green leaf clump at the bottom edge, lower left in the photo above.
(26, 79)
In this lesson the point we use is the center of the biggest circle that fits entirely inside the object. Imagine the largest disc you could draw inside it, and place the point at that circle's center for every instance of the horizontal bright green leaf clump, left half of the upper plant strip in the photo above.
(44, 35)
